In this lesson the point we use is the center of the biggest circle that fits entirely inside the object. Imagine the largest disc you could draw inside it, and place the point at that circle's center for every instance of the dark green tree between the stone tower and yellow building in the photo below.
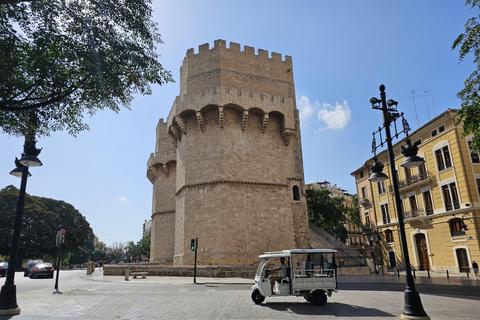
(327, 212)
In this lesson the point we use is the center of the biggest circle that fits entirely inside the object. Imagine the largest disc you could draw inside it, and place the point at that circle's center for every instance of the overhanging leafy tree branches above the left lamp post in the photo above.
(62, 60)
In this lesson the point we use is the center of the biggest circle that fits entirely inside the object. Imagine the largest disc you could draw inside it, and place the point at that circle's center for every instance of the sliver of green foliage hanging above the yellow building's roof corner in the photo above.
(469, 42)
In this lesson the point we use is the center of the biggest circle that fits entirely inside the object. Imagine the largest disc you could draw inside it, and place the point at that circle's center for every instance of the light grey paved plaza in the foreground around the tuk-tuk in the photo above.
(112, 297)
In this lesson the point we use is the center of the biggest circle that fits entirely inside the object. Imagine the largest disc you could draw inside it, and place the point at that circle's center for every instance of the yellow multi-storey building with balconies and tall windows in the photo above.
(440, 200)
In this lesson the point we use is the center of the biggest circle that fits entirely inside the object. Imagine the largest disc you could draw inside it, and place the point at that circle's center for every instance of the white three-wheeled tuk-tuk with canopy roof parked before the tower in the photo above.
(311, 273)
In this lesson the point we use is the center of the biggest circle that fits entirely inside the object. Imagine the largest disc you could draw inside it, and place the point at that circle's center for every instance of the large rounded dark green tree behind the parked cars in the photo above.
(42, 218)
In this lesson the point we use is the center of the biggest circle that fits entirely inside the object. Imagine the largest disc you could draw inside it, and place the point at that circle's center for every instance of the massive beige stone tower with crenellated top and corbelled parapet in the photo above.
(228, 165)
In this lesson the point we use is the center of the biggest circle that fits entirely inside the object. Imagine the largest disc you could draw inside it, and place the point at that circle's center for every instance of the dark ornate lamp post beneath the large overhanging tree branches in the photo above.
(8, 294)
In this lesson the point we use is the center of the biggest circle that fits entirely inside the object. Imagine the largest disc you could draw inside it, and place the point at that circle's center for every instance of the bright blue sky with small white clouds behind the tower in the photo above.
(342, 51)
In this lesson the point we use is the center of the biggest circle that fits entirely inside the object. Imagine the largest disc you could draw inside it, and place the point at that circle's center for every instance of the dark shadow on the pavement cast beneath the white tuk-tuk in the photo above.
(331, 308)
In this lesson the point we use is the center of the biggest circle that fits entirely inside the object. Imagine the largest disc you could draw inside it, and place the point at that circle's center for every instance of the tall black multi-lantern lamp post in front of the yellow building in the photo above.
(413, 308)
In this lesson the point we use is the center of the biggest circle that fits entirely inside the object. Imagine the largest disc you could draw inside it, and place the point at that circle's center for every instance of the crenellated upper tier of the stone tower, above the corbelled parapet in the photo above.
(244, 69)
